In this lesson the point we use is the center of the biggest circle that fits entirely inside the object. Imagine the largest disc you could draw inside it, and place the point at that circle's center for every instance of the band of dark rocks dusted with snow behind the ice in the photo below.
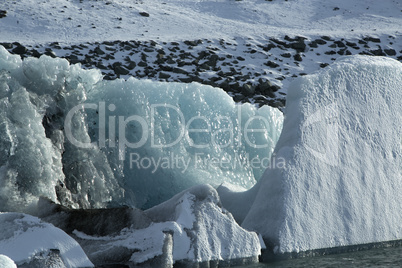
(249, 70)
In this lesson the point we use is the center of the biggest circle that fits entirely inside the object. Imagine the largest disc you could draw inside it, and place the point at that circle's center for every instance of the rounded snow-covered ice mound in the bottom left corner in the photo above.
(23, 238)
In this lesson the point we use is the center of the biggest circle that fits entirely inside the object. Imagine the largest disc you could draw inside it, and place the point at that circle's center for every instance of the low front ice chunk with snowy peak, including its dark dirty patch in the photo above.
(190, 229)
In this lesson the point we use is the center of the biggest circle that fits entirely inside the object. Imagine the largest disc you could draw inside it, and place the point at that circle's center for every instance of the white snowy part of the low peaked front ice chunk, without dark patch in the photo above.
(191, 227)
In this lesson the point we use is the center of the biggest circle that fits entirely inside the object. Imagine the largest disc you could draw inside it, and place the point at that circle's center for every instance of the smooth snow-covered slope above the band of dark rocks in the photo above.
(31, 21)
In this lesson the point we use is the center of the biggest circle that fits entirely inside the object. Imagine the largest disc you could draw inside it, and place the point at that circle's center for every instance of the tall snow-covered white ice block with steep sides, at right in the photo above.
(342, 144)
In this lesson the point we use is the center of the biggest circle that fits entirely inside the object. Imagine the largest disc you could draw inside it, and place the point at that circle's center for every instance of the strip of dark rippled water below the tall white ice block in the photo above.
(379, 257)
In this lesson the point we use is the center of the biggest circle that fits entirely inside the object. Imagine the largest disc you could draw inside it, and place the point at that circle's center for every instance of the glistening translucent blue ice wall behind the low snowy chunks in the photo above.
(136, 142)
